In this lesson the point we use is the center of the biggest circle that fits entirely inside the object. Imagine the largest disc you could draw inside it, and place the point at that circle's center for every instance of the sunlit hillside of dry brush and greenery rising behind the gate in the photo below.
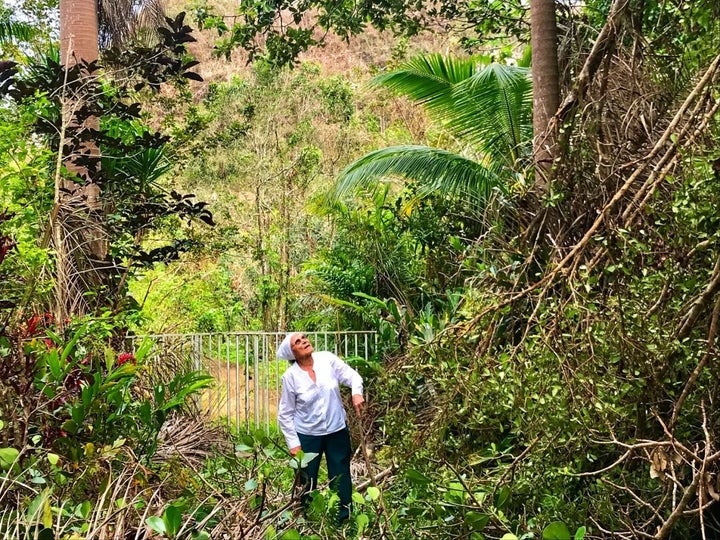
(338, 118)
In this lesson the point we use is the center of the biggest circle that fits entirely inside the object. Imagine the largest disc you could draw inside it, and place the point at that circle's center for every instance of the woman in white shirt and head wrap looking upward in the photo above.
(311, 414)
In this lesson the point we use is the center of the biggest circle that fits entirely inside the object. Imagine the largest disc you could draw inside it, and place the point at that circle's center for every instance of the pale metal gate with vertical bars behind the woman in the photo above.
(245, 368)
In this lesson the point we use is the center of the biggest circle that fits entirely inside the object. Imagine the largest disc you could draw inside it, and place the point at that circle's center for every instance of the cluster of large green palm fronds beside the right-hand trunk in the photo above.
(486, 105)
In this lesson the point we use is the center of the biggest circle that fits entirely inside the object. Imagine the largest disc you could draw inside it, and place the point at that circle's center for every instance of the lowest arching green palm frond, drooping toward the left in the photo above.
(433, 169)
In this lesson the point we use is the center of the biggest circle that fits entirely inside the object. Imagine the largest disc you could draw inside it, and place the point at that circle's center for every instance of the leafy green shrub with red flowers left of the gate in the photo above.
(94, 396)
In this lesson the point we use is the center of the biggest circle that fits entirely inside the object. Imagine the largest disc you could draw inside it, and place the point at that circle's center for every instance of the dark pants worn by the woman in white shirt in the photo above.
(336, 448)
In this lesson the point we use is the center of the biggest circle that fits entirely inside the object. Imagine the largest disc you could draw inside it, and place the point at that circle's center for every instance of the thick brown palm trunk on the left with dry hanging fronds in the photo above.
(79, 235)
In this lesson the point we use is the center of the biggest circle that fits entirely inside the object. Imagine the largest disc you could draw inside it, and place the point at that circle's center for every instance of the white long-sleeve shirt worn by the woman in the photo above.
(315, 408)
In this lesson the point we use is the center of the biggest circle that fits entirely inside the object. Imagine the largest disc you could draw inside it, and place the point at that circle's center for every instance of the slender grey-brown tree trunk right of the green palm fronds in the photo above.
(546, 87)
